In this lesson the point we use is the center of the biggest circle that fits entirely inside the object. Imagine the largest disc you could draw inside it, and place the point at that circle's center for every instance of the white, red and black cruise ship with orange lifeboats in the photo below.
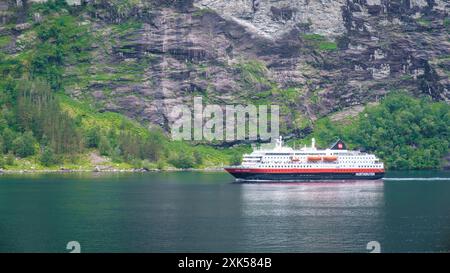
(284, 164)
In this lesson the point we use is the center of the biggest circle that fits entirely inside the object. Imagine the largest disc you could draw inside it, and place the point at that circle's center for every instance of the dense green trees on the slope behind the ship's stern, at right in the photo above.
(407, 133)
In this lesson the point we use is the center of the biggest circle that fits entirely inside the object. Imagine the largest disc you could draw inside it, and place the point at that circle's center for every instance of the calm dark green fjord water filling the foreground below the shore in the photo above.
(205, 212)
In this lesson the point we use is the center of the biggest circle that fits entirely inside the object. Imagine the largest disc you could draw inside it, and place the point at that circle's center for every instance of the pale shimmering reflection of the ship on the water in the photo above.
(313, 217)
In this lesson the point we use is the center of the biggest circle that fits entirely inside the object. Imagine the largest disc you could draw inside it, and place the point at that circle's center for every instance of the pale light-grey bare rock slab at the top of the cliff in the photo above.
(273, 19)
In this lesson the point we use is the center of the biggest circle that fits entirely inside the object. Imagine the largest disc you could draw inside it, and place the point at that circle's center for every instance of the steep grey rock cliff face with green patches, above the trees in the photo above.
(313, 58)
